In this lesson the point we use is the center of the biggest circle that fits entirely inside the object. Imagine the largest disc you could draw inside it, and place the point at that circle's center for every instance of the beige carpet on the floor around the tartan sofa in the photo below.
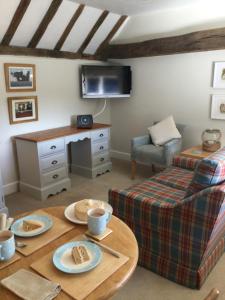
(144, 285)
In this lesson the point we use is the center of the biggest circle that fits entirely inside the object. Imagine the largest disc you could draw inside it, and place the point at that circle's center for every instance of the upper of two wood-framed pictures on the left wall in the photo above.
(20, 77)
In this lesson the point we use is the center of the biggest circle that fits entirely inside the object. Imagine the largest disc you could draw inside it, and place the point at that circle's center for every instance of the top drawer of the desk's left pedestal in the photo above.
(51, 146)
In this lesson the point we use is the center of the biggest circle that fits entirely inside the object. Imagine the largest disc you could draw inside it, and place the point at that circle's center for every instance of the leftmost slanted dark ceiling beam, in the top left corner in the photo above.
(19, 13)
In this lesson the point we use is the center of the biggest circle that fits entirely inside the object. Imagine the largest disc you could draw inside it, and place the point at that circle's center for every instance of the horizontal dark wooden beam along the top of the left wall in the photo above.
(11, 50)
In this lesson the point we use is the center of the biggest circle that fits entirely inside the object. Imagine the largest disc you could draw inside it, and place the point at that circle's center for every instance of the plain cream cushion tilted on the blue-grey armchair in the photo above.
(164, 131)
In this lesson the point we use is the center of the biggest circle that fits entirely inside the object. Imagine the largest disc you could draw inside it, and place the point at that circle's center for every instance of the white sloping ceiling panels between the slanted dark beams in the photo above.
(34, 15)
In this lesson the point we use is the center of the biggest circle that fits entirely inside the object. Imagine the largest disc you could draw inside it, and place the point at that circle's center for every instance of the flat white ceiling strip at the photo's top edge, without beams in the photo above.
(134, 7)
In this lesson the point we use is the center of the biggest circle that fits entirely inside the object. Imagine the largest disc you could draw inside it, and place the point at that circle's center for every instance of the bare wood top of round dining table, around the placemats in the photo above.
(122, 239)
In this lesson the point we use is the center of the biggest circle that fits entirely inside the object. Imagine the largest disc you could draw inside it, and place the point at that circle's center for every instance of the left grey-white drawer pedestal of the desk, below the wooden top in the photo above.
(43, 167)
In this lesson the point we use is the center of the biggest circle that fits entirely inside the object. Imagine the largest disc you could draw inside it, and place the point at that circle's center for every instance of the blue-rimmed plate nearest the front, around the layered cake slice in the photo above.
(63, 260)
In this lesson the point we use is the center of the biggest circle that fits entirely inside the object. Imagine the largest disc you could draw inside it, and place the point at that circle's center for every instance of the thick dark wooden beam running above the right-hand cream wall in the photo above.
(206, 40)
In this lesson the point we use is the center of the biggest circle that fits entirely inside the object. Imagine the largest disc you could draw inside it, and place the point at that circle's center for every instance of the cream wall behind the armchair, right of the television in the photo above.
(174, 84)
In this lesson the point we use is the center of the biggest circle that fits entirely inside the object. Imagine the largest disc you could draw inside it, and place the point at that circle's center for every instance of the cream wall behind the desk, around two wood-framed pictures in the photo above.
(58, 99)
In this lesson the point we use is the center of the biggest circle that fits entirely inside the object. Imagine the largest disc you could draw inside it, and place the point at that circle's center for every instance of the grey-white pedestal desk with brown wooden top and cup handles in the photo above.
(43, 157)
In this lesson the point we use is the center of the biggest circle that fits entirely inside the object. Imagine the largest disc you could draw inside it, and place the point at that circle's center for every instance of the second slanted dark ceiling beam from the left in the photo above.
(44, 23)
